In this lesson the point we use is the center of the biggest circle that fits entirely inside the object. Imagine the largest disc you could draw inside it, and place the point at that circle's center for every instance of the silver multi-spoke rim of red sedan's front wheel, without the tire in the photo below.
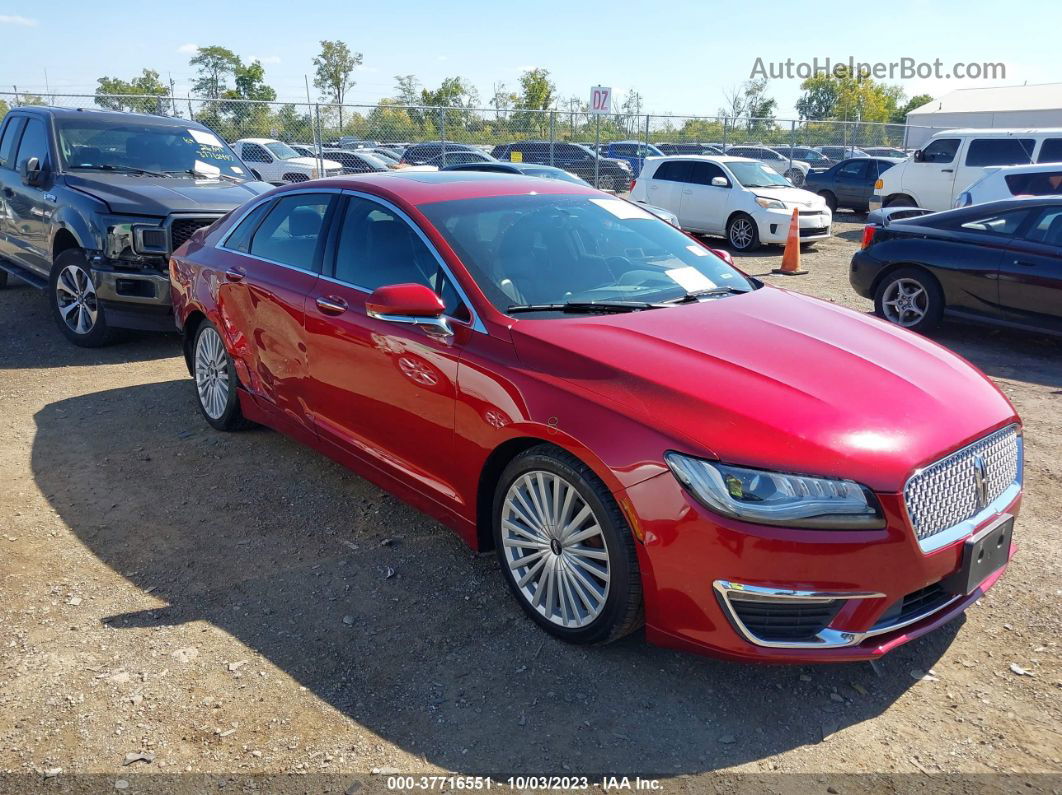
(556, 549)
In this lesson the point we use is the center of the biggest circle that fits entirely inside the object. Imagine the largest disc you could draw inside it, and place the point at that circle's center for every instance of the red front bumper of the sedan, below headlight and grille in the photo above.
(693, 563)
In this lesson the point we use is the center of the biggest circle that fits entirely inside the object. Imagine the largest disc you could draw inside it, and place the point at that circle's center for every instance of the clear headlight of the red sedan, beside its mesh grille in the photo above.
(776, 498)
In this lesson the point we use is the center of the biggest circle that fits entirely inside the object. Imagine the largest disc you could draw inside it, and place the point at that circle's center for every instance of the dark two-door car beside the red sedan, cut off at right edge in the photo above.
(999, 264)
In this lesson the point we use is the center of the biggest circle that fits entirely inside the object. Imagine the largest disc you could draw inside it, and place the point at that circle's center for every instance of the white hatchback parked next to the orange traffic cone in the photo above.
(735, 198)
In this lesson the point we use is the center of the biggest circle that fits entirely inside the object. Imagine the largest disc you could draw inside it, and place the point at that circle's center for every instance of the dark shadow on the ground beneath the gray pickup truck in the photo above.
(29, 337)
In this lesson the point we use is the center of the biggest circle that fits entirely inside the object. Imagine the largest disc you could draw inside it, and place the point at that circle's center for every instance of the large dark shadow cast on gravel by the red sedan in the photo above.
(386, 616)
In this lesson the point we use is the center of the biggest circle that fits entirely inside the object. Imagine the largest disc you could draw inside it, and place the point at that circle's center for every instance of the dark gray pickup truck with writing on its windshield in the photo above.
(94, 202)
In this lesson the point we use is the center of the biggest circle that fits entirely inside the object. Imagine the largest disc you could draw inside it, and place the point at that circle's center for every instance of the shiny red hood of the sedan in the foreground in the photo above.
(777, 381)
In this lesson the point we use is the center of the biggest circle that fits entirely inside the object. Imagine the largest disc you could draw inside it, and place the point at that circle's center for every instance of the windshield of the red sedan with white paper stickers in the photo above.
(563, 249)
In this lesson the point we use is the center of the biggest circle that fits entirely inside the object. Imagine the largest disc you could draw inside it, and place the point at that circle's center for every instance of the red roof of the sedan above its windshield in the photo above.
(430, 187)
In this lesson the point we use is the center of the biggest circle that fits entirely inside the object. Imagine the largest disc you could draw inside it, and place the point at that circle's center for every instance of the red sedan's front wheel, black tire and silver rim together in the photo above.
(566, 548)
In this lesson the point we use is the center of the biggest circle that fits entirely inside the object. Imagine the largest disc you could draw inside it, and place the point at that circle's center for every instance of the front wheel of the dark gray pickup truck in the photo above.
(73, 296)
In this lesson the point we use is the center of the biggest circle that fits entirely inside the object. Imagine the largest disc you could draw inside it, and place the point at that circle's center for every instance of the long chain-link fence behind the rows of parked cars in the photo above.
(606, 150)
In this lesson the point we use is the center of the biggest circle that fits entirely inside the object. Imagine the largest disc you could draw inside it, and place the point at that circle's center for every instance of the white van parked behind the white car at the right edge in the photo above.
(954, 160)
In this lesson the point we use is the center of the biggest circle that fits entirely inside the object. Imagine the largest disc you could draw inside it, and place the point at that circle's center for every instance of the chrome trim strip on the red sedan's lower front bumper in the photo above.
(827, 638)
